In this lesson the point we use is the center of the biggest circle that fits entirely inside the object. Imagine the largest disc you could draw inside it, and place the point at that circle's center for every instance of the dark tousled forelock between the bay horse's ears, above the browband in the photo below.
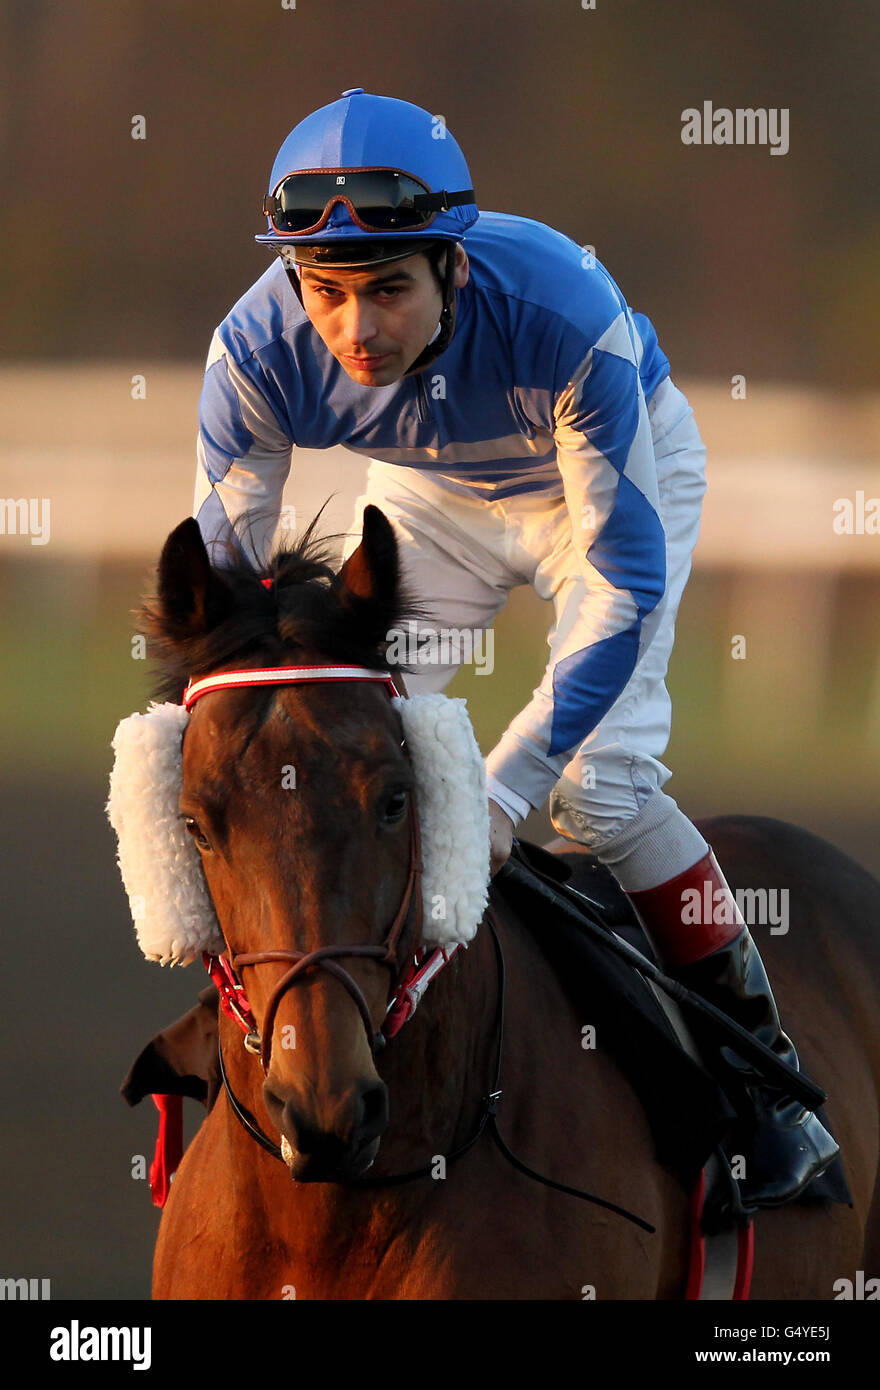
(308, 608)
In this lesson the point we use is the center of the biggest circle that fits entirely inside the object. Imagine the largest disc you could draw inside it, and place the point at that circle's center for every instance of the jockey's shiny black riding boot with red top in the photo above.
(783, 1145)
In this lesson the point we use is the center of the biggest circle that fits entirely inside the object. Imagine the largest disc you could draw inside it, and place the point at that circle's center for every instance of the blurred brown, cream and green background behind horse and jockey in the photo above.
(119, 256)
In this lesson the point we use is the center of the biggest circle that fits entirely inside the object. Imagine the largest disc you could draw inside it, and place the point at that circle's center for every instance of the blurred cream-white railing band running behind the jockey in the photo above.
(120, 469)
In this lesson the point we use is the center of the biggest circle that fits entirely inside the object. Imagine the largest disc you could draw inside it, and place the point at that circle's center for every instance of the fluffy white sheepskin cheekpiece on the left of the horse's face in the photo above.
(170, 904)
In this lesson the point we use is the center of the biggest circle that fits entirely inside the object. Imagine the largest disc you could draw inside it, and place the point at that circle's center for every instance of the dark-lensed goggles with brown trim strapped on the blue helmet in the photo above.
(379, 201)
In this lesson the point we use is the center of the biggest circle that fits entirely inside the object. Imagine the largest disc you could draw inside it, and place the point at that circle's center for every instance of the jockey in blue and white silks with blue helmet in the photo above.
(522, 427)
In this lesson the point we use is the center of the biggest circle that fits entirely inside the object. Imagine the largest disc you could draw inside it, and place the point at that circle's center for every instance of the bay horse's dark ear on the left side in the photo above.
(193, 597)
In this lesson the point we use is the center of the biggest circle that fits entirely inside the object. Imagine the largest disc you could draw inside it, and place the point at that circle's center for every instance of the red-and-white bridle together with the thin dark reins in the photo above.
(236, 1004)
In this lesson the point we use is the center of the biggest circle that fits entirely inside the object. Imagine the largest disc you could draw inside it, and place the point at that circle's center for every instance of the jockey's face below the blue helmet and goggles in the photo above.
(376, 322)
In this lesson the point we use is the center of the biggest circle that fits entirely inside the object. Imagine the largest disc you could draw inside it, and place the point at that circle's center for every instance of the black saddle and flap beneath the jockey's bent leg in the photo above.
(689, 1113)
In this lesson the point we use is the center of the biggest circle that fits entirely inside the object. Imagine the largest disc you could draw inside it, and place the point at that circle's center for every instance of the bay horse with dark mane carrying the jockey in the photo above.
(327, 864)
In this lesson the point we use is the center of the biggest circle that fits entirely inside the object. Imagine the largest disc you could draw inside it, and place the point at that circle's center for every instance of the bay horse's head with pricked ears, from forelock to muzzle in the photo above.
(300, 799)
